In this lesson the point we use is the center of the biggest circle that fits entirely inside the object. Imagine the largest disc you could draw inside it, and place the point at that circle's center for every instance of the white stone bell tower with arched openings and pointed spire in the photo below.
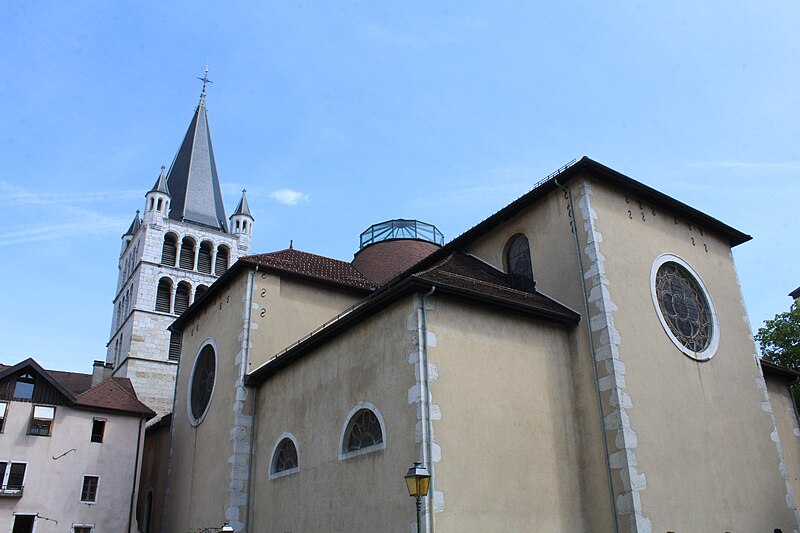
(169, 257)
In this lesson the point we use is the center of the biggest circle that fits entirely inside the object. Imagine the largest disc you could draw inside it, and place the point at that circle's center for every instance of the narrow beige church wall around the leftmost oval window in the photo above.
(199, 469)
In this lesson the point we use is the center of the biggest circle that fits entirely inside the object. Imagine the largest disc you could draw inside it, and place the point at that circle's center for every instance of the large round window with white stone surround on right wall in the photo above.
(684, 307)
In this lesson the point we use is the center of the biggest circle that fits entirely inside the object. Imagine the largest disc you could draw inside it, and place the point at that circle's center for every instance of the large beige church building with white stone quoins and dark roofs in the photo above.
(579, 361)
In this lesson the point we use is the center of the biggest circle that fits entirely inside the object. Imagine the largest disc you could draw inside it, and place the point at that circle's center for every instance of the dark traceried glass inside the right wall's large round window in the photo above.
(684, 306)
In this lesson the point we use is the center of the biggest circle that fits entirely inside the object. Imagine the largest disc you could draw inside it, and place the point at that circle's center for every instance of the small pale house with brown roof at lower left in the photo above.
(70, 450)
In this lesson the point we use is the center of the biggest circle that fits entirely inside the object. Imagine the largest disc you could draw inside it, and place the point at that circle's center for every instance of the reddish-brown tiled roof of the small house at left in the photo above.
(113, 394)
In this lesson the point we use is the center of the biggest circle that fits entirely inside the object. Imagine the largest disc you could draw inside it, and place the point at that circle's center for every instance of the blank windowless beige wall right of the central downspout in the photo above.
(508, 430)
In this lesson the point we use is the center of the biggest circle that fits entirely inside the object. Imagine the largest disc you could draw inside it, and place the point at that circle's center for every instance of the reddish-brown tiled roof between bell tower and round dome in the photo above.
(313, 266)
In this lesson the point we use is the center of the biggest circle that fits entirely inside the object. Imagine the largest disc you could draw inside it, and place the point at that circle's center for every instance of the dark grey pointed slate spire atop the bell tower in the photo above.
(192, 179)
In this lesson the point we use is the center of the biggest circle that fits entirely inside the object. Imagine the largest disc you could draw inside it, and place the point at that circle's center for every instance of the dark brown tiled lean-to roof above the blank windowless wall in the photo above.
(465, 272)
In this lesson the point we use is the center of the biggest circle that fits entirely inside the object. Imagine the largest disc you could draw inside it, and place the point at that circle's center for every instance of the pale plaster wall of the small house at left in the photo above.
(52, 487)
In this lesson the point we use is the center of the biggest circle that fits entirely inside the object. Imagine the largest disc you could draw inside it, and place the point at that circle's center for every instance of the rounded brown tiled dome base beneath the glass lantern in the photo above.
(385, 260)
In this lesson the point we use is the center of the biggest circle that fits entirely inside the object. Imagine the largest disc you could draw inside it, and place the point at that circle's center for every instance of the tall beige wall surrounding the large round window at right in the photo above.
(702, 440)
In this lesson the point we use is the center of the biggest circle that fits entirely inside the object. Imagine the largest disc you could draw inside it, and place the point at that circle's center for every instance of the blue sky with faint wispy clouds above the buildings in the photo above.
(338, 115)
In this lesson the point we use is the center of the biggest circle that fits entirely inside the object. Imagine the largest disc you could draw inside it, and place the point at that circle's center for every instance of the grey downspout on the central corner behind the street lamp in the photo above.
(424, 403)
